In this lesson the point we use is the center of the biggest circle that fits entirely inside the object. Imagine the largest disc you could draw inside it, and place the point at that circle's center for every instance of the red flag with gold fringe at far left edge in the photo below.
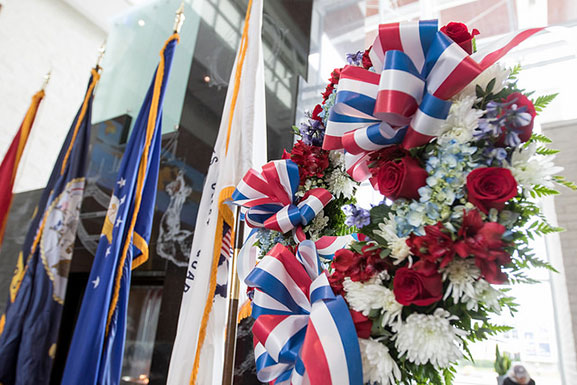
(11, 160)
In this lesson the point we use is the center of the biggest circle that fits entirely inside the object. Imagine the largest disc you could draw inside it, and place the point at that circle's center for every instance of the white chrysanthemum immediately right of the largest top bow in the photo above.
(463, 119)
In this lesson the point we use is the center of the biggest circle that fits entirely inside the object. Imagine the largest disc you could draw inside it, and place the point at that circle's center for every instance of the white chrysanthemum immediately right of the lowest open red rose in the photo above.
(462, 274)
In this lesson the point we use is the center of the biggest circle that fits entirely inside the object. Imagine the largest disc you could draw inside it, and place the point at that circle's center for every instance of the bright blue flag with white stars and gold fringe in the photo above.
(95, 355)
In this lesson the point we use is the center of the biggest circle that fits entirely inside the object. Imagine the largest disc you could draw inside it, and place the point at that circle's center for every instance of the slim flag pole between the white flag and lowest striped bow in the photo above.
(232, 299)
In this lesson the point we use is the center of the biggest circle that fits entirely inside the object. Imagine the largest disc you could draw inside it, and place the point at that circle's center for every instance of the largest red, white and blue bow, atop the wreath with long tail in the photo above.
(418, 69)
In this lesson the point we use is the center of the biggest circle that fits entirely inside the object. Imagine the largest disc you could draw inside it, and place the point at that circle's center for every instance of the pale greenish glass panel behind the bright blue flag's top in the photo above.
(132, 53)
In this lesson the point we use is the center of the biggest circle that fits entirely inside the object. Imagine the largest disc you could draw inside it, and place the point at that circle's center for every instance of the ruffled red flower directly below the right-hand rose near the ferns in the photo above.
(484, 241)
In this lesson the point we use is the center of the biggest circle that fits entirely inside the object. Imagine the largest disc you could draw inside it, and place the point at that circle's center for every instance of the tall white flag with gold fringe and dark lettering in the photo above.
(198, 352)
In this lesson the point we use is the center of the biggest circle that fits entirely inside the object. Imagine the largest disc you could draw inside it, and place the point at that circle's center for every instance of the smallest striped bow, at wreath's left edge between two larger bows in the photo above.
(269, 197)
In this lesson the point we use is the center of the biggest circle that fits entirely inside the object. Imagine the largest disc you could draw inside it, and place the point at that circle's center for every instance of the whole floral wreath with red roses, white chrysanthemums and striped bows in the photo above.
(395, 293)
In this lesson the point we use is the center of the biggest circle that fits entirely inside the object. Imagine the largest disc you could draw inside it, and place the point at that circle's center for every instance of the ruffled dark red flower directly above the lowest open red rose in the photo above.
(435, 246)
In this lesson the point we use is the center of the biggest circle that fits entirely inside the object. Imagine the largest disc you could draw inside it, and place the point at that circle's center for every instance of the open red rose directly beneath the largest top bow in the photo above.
(399, 178)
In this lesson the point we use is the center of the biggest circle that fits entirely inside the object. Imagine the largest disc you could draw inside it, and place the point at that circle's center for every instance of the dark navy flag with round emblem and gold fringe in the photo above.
(29, 327)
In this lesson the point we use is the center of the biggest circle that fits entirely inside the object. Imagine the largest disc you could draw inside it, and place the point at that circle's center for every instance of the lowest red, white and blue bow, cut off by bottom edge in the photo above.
(304, 333)
